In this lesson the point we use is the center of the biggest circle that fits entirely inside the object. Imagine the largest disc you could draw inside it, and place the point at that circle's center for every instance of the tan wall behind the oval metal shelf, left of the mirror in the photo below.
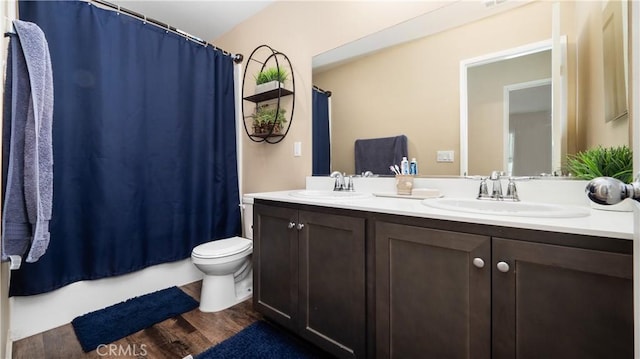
(302, 30)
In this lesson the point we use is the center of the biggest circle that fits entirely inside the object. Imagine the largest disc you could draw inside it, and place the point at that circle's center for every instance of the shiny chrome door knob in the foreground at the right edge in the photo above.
(607, 190)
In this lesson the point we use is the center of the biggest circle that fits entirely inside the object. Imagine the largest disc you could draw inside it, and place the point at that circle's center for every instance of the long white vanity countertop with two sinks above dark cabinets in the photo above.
(598, 223)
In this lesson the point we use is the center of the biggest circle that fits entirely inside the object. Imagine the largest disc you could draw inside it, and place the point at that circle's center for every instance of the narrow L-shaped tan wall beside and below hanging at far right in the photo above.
(592, 129)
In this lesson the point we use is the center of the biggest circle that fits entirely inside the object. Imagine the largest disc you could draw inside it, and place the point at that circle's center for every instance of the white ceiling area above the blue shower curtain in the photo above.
(206, 20)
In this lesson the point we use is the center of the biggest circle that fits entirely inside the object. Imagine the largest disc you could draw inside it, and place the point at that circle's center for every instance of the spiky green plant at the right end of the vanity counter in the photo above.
(616, 162)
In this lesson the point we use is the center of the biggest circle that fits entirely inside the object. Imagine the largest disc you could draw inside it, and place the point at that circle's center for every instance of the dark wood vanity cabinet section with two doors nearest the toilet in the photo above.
(309, 275)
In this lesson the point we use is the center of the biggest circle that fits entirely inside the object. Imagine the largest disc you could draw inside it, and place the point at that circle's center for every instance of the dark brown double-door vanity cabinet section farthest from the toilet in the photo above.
(445, 294)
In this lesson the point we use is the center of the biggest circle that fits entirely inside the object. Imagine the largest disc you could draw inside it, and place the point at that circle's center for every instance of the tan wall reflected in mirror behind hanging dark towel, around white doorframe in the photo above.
(414, 89)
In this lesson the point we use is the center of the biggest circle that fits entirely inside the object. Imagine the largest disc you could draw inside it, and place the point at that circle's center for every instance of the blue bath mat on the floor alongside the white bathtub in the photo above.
(107, 325)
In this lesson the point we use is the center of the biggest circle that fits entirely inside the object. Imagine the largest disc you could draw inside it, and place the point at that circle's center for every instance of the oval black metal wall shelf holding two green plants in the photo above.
(261, 58)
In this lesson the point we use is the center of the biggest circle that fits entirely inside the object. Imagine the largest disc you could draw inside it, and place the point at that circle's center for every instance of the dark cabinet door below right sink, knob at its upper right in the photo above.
(432, 299)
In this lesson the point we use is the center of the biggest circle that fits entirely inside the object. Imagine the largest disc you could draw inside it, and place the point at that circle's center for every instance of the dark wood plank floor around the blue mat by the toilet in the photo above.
(189, 333)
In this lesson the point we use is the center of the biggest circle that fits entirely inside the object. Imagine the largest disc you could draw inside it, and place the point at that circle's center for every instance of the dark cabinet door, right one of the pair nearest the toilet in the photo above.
(332, 294)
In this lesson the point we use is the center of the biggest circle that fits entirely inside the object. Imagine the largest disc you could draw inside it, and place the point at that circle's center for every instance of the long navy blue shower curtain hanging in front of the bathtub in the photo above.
(144, 146)
